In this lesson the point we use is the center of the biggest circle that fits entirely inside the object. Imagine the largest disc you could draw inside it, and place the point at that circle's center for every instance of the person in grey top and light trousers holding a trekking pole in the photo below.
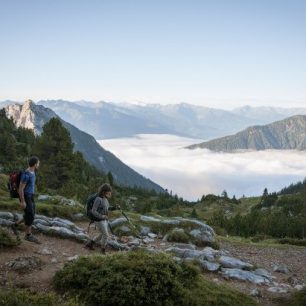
(100, 210)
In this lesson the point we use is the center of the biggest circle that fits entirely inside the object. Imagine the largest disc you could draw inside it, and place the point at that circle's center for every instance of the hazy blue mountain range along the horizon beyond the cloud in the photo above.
(114, 120)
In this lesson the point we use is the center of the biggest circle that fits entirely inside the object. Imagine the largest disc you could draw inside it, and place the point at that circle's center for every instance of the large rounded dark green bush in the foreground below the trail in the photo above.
(141, 278)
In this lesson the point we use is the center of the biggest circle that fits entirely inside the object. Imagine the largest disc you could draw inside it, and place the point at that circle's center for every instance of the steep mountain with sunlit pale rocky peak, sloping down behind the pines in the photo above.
(32, 116)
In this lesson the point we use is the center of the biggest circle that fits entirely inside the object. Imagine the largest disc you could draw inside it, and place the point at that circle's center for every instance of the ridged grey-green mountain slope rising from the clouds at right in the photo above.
(287, 134)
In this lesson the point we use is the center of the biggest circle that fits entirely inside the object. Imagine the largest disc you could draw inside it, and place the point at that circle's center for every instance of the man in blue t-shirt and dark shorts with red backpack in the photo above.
(26, 196)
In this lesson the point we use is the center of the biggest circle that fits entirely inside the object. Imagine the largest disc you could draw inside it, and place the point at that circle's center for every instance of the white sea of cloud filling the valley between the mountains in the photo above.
(192, 173)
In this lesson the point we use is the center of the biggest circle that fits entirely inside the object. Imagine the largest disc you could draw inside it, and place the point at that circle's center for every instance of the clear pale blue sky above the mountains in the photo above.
(214, 53)
